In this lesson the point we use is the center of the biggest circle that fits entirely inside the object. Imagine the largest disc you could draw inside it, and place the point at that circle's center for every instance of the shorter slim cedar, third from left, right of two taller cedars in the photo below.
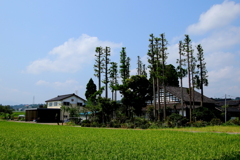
(113, 76)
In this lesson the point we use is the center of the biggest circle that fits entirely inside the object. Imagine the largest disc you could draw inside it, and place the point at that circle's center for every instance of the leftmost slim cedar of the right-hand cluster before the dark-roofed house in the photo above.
(181, 71)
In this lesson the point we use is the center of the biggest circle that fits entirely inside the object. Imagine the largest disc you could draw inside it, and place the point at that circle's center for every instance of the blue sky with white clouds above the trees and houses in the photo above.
(47, 47)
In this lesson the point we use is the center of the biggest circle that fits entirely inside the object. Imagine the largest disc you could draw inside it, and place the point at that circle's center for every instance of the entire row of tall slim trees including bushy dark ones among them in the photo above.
(138, 89)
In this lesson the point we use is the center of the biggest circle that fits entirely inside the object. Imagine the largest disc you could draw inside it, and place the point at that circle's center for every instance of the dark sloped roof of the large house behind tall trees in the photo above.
(176, 91)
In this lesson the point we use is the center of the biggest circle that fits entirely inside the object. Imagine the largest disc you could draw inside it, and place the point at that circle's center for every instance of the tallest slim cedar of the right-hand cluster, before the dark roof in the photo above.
(187, 50)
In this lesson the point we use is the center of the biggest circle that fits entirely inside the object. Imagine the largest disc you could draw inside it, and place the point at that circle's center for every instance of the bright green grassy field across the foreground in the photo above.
(37, 141)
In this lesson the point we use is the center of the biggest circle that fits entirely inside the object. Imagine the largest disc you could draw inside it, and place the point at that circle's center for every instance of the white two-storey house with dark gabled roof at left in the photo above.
(70, 100)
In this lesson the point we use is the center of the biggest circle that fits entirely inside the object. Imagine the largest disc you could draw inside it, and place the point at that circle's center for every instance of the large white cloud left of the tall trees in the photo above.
(70, 56)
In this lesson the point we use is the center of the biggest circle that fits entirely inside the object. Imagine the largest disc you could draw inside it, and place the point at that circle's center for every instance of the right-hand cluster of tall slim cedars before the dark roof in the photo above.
(195, 70)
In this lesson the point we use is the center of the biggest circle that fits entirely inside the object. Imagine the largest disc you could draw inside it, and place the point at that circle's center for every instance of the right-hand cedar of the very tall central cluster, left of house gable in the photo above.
(163, 49)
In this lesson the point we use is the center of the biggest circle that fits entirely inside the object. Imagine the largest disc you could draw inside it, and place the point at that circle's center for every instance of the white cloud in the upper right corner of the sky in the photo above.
(217, 16)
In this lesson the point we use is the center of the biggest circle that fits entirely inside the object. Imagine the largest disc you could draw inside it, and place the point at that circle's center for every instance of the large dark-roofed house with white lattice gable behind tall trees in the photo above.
(173, 99)
